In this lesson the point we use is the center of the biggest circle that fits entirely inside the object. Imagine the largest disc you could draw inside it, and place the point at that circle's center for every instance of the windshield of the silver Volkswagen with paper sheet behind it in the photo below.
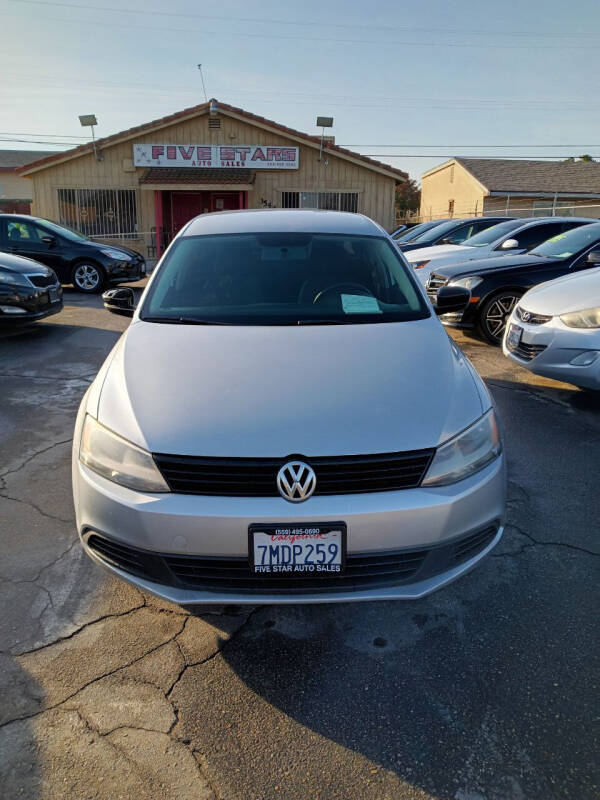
(283, 279)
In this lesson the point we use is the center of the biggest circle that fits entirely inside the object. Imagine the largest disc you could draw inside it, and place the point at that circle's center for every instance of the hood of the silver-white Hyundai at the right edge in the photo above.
(562, 295)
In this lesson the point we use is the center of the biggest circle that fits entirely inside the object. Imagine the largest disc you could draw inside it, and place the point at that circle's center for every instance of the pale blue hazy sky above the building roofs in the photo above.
(410, 83)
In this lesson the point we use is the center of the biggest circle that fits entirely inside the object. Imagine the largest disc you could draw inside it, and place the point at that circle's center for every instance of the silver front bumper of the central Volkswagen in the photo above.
(169, 525)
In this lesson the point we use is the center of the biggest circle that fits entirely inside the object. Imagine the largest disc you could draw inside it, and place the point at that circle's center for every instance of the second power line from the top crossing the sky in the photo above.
(277, 36)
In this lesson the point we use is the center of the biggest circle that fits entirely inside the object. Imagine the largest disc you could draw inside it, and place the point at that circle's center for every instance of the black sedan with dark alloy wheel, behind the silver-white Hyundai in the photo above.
(497, 283)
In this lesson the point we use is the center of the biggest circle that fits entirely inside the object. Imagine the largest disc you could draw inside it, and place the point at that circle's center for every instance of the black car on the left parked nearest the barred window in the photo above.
(90, 266)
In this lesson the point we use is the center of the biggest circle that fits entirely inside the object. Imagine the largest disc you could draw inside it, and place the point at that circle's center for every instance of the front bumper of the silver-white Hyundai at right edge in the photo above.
(558, 345)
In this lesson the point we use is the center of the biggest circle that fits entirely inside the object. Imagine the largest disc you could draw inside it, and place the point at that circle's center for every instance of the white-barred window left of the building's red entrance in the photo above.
(101, 213)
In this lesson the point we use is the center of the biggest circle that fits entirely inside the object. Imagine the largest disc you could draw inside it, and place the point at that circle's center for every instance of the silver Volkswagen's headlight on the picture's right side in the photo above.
(466, 453)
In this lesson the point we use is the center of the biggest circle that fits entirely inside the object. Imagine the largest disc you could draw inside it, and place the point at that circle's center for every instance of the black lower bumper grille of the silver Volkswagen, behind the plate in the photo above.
(363, 570)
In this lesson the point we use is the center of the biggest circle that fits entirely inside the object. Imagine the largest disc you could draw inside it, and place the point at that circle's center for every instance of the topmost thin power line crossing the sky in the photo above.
(303, 23)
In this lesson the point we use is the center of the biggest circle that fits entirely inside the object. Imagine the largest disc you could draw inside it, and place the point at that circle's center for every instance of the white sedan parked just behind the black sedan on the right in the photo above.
(514, 236)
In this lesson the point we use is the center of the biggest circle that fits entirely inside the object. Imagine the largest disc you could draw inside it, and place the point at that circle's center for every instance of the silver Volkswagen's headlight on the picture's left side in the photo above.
(118, 460)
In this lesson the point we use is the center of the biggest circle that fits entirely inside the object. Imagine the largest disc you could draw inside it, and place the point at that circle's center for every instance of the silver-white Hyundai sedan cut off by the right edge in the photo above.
(554, 331)
